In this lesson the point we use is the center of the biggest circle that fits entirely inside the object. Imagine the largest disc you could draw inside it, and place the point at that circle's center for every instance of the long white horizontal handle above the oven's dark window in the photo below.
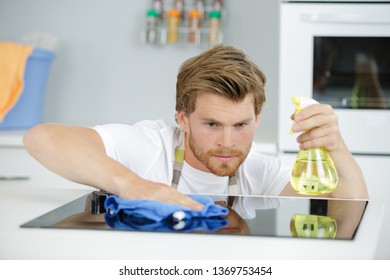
(343, 18)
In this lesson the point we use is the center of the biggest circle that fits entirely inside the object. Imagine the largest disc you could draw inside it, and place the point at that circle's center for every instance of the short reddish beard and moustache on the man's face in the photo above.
(207, 158)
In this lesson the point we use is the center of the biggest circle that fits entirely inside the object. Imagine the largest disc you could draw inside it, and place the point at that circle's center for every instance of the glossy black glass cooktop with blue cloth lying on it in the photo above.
(248, 215)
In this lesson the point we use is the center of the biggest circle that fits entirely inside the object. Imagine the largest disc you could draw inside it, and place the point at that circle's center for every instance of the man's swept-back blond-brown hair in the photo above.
(221, 70)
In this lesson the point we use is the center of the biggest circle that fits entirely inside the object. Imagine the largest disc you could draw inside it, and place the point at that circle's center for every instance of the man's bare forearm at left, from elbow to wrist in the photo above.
(76, 154)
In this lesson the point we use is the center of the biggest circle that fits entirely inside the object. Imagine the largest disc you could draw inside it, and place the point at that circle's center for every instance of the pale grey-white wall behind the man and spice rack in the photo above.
(103, 73)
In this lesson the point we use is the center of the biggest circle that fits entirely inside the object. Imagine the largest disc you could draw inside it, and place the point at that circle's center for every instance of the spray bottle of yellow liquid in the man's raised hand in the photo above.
(314, 172)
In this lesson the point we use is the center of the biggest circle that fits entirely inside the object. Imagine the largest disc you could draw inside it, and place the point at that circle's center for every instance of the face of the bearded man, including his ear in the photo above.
(219, 133)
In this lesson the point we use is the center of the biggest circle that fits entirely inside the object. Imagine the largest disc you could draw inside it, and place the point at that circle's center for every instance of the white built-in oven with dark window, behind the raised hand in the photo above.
(338, 53)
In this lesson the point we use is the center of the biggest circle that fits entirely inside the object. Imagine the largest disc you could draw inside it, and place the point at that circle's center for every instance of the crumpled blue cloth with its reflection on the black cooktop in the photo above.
(154, 214)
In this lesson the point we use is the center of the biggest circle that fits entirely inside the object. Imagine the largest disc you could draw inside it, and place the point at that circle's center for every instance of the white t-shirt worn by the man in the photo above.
(147, 148)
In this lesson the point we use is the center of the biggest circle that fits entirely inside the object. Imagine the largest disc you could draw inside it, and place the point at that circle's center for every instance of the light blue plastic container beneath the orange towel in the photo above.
(28, 111)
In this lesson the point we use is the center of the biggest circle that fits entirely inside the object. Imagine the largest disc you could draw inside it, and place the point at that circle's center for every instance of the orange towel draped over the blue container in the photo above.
(13, 58)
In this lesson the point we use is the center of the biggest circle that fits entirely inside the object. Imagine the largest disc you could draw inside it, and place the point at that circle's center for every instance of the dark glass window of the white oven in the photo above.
(352, 72)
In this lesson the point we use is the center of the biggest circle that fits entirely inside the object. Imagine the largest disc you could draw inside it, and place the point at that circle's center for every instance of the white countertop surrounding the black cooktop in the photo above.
(21, 204)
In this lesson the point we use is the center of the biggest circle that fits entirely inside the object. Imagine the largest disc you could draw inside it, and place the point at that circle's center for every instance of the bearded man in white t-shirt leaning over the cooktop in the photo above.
(219, 97)
